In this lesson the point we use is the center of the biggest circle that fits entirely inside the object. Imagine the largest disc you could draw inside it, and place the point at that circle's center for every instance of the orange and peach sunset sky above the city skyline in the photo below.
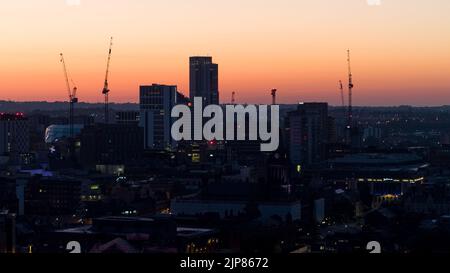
(400, 48)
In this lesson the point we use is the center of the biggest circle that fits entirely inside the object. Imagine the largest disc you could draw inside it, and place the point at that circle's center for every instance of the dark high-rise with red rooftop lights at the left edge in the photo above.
(14, 135)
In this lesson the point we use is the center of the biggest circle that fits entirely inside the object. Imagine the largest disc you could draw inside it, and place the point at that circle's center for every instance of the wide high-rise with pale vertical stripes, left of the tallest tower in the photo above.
(156, 102)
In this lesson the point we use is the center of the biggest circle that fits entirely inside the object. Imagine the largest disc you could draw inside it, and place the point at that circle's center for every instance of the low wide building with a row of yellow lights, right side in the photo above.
(378, 177)
